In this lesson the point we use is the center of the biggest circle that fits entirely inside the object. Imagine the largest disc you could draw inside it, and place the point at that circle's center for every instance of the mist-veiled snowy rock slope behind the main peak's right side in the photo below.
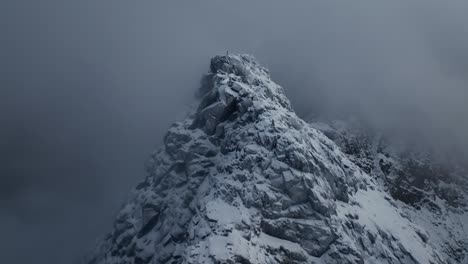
(431, 193)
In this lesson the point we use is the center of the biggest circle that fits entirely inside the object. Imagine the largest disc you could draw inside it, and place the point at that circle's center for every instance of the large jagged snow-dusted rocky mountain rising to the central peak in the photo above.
(244, 180)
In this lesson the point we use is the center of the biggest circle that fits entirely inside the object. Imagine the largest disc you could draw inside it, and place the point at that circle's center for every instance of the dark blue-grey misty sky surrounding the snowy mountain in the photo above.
(88, 89)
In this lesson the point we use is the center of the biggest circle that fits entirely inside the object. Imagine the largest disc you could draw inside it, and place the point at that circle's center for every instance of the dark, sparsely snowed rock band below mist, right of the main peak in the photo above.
(409, 173)
